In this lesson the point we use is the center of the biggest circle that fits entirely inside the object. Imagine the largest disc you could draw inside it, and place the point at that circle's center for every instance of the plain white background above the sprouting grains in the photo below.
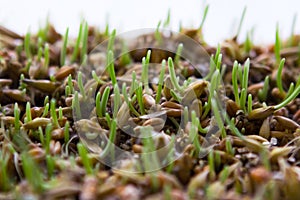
(222, 19)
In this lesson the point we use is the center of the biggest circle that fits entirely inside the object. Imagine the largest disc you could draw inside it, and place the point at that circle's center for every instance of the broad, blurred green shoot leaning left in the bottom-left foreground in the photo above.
(34, 177)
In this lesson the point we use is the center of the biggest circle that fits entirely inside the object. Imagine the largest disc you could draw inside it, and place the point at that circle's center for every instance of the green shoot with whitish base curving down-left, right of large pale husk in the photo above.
(110, 144)
